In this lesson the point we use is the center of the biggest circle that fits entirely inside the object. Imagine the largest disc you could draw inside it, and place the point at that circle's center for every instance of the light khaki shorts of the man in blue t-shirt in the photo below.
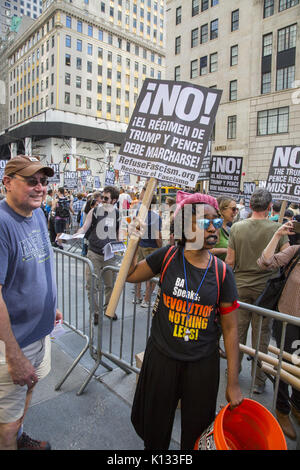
(13, 396)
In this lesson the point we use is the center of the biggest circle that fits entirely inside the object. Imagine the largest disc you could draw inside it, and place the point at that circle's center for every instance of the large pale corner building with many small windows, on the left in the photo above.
(77, 71)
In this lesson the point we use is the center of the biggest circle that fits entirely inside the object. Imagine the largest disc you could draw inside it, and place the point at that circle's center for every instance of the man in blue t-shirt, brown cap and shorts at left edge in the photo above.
(27, 296)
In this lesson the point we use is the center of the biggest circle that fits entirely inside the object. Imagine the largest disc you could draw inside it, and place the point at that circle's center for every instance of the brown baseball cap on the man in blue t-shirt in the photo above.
(24, 165)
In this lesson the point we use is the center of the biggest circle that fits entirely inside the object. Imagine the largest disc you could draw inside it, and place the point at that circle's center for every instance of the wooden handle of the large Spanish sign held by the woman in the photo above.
(129, 253)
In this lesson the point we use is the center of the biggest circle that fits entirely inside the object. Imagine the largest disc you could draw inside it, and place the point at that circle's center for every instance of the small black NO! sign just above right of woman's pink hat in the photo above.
(225, 176)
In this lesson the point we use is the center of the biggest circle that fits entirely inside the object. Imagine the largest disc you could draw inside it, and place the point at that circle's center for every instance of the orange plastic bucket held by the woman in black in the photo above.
(250, 426)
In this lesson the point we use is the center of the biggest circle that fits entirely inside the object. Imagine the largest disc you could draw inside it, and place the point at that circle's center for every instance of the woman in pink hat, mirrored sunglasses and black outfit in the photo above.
(181, 360)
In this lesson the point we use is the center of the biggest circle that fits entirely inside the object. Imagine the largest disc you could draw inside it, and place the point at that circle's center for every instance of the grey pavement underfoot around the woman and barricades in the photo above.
(99, 419)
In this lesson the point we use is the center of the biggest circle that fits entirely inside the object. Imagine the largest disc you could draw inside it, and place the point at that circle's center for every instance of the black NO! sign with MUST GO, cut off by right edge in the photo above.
(284, 174)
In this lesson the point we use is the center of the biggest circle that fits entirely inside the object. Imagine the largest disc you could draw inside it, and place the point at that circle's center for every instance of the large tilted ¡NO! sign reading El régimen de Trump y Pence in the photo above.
(168, 132)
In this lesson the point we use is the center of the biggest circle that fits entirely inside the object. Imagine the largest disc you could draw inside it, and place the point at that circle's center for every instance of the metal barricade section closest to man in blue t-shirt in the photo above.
(72, 300)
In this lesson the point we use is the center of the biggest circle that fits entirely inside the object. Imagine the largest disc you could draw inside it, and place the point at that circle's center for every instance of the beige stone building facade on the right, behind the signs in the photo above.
(251, 50)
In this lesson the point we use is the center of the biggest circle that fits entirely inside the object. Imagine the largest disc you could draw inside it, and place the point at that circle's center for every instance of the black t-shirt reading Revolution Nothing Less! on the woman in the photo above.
(169, 322)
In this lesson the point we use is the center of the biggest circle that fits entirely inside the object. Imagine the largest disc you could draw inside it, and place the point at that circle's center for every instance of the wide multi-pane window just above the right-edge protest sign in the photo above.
(273, 121)
